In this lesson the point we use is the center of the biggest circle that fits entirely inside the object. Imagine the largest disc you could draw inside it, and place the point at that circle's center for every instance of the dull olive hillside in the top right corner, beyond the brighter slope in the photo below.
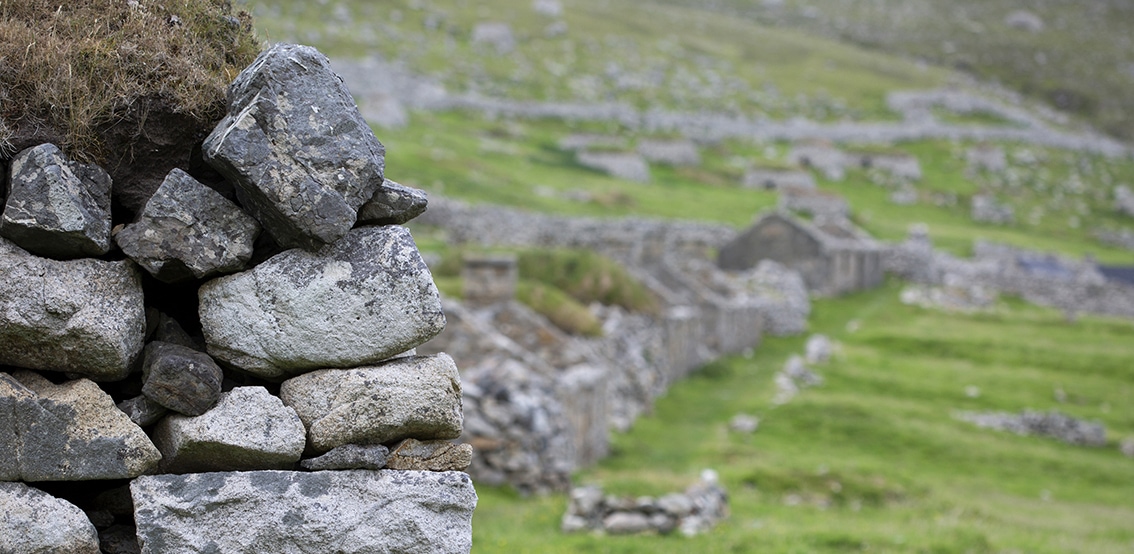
(1080, 62)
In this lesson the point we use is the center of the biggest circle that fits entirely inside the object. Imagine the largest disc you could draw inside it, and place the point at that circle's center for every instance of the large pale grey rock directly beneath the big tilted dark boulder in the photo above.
(358, 302)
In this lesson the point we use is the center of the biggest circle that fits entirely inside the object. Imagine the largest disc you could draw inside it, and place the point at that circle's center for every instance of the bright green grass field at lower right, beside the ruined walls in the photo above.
(873, 461)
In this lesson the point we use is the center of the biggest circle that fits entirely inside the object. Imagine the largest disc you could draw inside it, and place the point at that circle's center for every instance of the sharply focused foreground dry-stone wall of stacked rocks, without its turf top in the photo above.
(268, 397)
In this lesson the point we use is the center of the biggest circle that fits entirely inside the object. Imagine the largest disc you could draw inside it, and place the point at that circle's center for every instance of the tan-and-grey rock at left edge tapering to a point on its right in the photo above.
(69, 432)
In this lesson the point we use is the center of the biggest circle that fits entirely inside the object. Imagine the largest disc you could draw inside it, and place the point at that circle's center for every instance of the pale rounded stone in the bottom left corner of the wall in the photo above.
(36, 523)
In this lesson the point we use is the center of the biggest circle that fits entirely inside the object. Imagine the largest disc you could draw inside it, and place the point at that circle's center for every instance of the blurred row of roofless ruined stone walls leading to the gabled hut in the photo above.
(540, 404)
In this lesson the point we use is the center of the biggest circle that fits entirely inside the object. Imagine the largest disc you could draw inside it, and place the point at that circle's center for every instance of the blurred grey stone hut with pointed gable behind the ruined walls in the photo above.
(833, 257)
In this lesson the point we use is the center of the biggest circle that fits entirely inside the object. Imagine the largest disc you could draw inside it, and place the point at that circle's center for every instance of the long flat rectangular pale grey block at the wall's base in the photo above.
(348, 513)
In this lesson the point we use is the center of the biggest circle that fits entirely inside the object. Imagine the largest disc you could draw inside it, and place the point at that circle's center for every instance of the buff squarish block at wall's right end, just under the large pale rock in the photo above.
(407, 398)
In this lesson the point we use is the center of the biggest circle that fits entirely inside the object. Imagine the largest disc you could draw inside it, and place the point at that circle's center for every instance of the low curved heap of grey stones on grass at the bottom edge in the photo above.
(698, 510)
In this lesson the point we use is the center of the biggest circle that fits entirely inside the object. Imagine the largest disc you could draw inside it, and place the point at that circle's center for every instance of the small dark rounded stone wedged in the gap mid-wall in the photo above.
(181, 379)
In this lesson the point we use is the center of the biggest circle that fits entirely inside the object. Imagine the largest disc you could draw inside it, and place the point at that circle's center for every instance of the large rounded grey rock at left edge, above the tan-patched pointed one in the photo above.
(84, 317)
